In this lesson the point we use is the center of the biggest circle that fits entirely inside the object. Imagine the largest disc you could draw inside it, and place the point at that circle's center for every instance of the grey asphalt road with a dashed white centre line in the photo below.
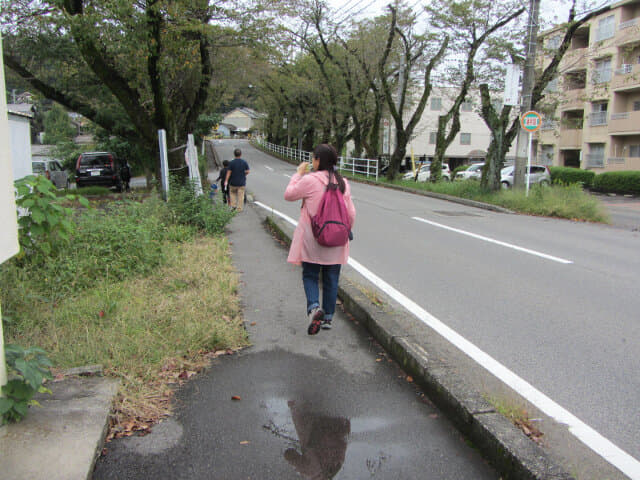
(554, 301)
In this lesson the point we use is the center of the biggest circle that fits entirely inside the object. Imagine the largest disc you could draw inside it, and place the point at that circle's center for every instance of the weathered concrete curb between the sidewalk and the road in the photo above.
(504, 445)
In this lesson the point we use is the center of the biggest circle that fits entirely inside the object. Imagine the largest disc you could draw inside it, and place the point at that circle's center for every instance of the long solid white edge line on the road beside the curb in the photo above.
(587, 435)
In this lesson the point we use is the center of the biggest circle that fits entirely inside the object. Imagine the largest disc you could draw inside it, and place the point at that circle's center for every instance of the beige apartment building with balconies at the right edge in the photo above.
(591, 111)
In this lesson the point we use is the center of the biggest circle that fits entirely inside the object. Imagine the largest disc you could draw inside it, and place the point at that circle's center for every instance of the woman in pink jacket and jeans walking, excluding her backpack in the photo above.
(305, 250)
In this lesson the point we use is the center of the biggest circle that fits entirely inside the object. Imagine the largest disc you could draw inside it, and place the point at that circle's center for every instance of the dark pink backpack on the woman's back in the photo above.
(331, 225)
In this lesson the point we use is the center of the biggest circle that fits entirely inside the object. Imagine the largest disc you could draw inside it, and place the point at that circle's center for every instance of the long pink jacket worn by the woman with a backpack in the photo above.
(304, 247)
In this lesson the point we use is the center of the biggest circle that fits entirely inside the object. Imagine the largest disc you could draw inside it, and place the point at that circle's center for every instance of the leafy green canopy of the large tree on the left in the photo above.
(133, 68)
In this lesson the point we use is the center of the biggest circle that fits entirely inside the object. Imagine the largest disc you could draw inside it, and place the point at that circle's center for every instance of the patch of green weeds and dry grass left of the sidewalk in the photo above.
(136, 291)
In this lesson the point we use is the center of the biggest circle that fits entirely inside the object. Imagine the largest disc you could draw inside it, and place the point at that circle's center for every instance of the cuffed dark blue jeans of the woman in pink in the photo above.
(330, 276)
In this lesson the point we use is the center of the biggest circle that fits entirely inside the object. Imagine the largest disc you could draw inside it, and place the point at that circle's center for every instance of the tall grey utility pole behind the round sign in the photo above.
(528, 80)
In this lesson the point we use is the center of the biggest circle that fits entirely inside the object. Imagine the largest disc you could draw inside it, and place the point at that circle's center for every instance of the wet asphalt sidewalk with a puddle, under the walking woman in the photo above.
(331, 405)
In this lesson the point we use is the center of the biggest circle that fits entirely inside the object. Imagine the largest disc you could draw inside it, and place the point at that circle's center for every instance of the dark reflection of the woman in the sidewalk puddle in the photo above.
(323, 442)
